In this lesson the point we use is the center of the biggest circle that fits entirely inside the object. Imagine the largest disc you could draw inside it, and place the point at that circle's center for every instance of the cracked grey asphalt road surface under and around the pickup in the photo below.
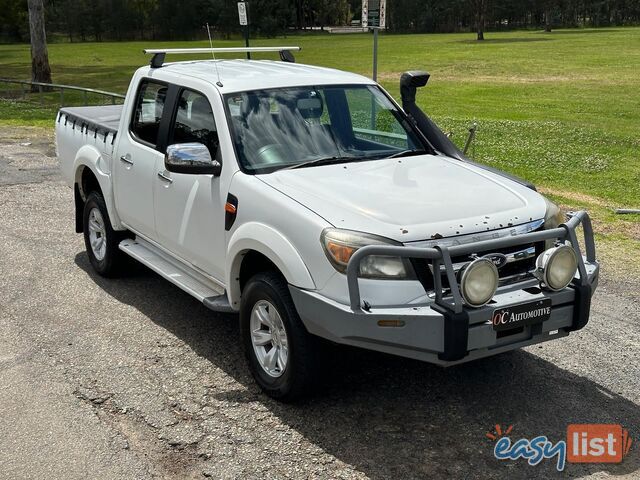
(132, 378)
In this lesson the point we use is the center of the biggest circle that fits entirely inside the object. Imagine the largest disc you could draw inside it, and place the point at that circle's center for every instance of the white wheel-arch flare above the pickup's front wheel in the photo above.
(273, 245)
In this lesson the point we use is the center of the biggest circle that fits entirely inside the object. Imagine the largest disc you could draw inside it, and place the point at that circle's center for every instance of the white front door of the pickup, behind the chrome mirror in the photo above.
(189, 213)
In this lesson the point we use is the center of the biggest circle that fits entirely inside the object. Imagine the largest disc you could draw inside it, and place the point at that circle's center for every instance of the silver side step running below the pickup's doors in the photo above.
(209, 293)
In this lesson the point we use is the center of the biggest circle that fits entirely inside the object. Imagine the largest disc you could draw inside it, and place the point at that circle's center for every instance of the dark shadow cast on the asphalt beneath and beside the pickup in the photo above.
(390, 417)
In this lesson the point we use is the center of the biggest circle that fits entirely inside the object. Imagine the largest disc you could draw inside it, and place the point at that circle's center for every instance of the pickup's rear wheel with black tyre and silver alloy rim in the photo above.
(100, 240)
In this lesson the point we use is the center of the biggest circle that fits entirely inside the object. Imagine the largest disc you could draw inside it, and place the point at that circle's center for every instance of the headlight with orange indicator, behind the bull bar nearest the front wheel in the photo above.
(340, 245)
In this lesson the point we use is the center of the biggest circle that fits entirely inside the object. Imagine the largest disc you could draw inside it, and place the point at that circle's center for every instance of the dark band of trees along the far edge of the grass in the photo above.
(95, 20)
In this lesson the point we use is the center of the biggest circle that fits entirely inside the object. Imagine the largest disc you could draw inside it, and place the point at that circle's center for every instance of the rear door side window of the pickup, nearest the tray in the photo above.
(148, 111)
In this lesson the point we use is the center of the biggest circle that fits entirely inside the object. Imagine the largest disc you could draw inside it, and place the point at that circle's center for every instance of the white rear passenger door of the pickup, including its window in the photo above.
(137, 157)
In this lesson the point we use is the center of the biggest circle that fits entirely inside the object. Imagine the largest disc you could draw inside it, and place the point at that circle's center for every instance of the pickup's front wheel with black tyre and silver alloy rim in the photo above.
(282, 355)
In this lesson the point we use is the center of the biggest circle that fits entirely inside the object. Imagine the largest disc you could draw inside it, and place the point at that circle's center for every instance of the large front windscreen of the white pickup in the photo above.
(284, 127)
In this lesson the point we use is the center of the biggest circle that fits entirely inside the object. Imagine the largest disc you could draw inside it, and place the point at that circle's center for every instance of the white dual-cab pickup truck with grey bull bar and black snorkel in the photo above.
(310, 202)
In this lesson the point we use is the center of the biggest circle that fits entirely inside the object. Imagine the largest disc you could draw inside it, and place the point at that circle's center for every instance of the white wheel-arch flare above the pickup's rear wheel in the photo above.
(90, 157)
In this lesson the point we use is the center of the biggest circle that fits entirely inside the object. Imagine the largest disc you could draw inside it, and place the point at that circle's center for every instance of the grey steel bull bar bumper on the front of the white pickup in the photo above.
(445, 331)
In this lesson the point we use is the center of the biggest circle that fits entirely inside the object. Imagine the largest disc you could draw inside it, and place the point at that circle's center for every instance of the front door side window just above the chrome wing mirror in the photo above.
(194, 122)
